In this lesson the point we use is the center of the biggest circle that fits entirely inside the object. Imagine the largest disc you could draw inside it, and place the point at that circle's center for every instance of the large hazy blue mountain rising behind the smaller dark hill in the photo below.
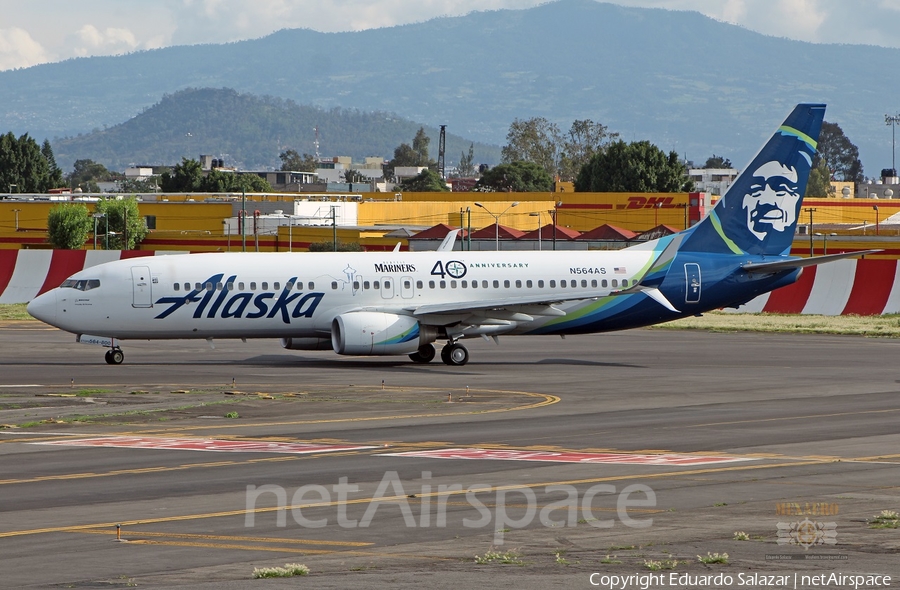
(679, 79)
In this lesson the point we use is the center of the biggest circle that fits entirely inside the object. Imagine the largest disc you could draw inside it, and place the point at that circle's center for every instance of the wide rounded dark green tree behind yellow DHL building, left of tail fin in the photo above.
(636, 166)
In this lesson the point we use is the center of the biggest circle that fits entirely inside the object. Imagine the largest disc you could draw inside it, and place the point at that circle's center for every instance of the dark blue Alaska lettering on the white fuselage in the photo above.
(229, 303)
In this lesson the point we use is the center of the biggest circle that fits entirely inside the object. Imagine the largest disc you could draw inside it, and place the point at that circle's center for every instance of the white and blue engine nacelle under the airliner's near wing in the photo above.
(374, 333)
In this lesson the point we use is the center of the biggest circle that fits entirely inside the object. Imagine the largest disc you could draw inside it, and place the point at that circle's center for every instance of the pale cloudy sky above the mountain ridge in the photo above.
(40, 31)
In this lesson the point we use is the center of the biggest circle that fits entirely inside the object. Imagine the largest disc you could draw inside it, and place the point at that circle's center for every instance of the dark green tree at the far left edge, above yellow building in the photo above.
(22, 164)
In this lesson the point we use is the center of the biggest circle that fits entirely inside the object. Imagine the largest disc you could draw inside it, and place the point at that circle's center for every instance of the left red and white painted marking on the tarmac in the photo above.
(203, 444)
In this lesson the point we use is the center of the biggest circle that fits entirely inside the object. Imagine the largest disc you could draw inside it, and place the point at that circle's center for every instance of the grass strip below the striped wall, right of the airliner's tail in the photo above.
(884, 326)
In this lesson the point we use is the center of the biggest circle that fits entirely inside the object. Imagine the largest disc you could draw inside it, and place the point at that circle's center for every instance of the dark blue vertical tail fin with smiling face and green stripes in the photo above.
(758, 214)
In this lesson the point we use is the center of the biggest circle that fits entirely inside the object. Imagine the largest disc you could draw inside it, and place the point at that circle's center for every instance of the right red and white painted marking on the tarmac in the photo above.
(567, 457)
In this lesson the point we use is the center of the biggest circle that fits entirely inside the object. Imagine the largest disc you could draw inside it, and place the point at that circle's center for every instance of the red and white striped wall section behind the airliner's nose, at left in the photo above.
(25, 274)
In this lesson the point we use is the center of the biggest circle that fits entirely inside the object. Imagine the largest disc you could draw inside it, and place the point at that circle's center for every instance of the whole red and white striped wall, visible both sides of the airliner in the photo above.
(863, 287)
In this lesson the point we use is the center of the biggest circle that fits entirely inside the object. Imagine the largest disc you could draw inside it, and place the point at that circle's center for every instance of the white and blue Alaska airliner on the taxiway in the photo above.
(402, 302)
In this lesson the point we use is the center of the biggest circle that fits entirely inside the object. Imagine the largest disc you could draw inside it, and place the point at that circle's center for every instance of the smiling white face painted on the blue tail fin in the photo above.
(771, 204)
